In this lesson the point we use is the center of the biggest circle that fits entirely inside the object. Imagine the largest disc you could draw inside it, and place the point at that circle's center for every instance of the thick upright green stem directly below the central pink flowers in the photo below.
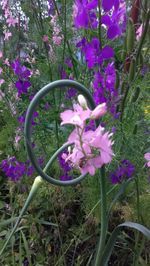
(104, 221)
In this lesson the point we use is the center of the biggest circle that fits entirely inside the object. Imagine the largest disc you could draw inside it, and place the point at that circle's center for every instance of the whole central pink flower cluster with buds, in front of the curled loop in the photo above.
(91, 149)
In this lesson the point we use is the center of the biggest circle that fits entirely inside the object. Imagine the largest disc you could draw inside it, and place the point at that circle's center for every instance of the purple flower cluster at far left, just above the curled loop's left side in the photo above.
(23, 74)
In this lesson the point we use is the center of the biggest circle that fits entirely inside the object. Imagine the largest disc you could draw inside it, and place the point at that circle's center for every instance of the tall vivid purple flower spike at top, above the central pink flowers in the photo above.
(113, 21)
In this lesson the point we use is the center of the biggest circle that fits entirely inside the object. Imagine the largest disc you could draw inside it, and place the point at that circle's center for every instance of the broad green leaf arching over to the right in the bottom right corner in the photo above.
(111, 242)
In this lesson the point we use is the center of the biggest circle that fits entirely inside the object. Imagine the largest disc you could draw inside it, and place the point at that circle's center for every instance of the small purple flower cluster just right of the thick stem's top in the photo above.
(125, 170)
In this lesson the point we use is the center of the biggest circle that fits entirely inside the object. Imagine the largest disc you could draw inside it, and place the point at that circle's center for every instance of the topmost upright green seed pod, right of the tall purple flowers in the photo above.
(130, 36)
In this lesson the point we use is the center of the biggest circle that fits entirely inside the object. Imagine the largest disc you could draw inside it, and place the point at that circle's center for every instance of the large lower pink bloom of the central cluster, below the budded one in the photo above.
(93, 153)
